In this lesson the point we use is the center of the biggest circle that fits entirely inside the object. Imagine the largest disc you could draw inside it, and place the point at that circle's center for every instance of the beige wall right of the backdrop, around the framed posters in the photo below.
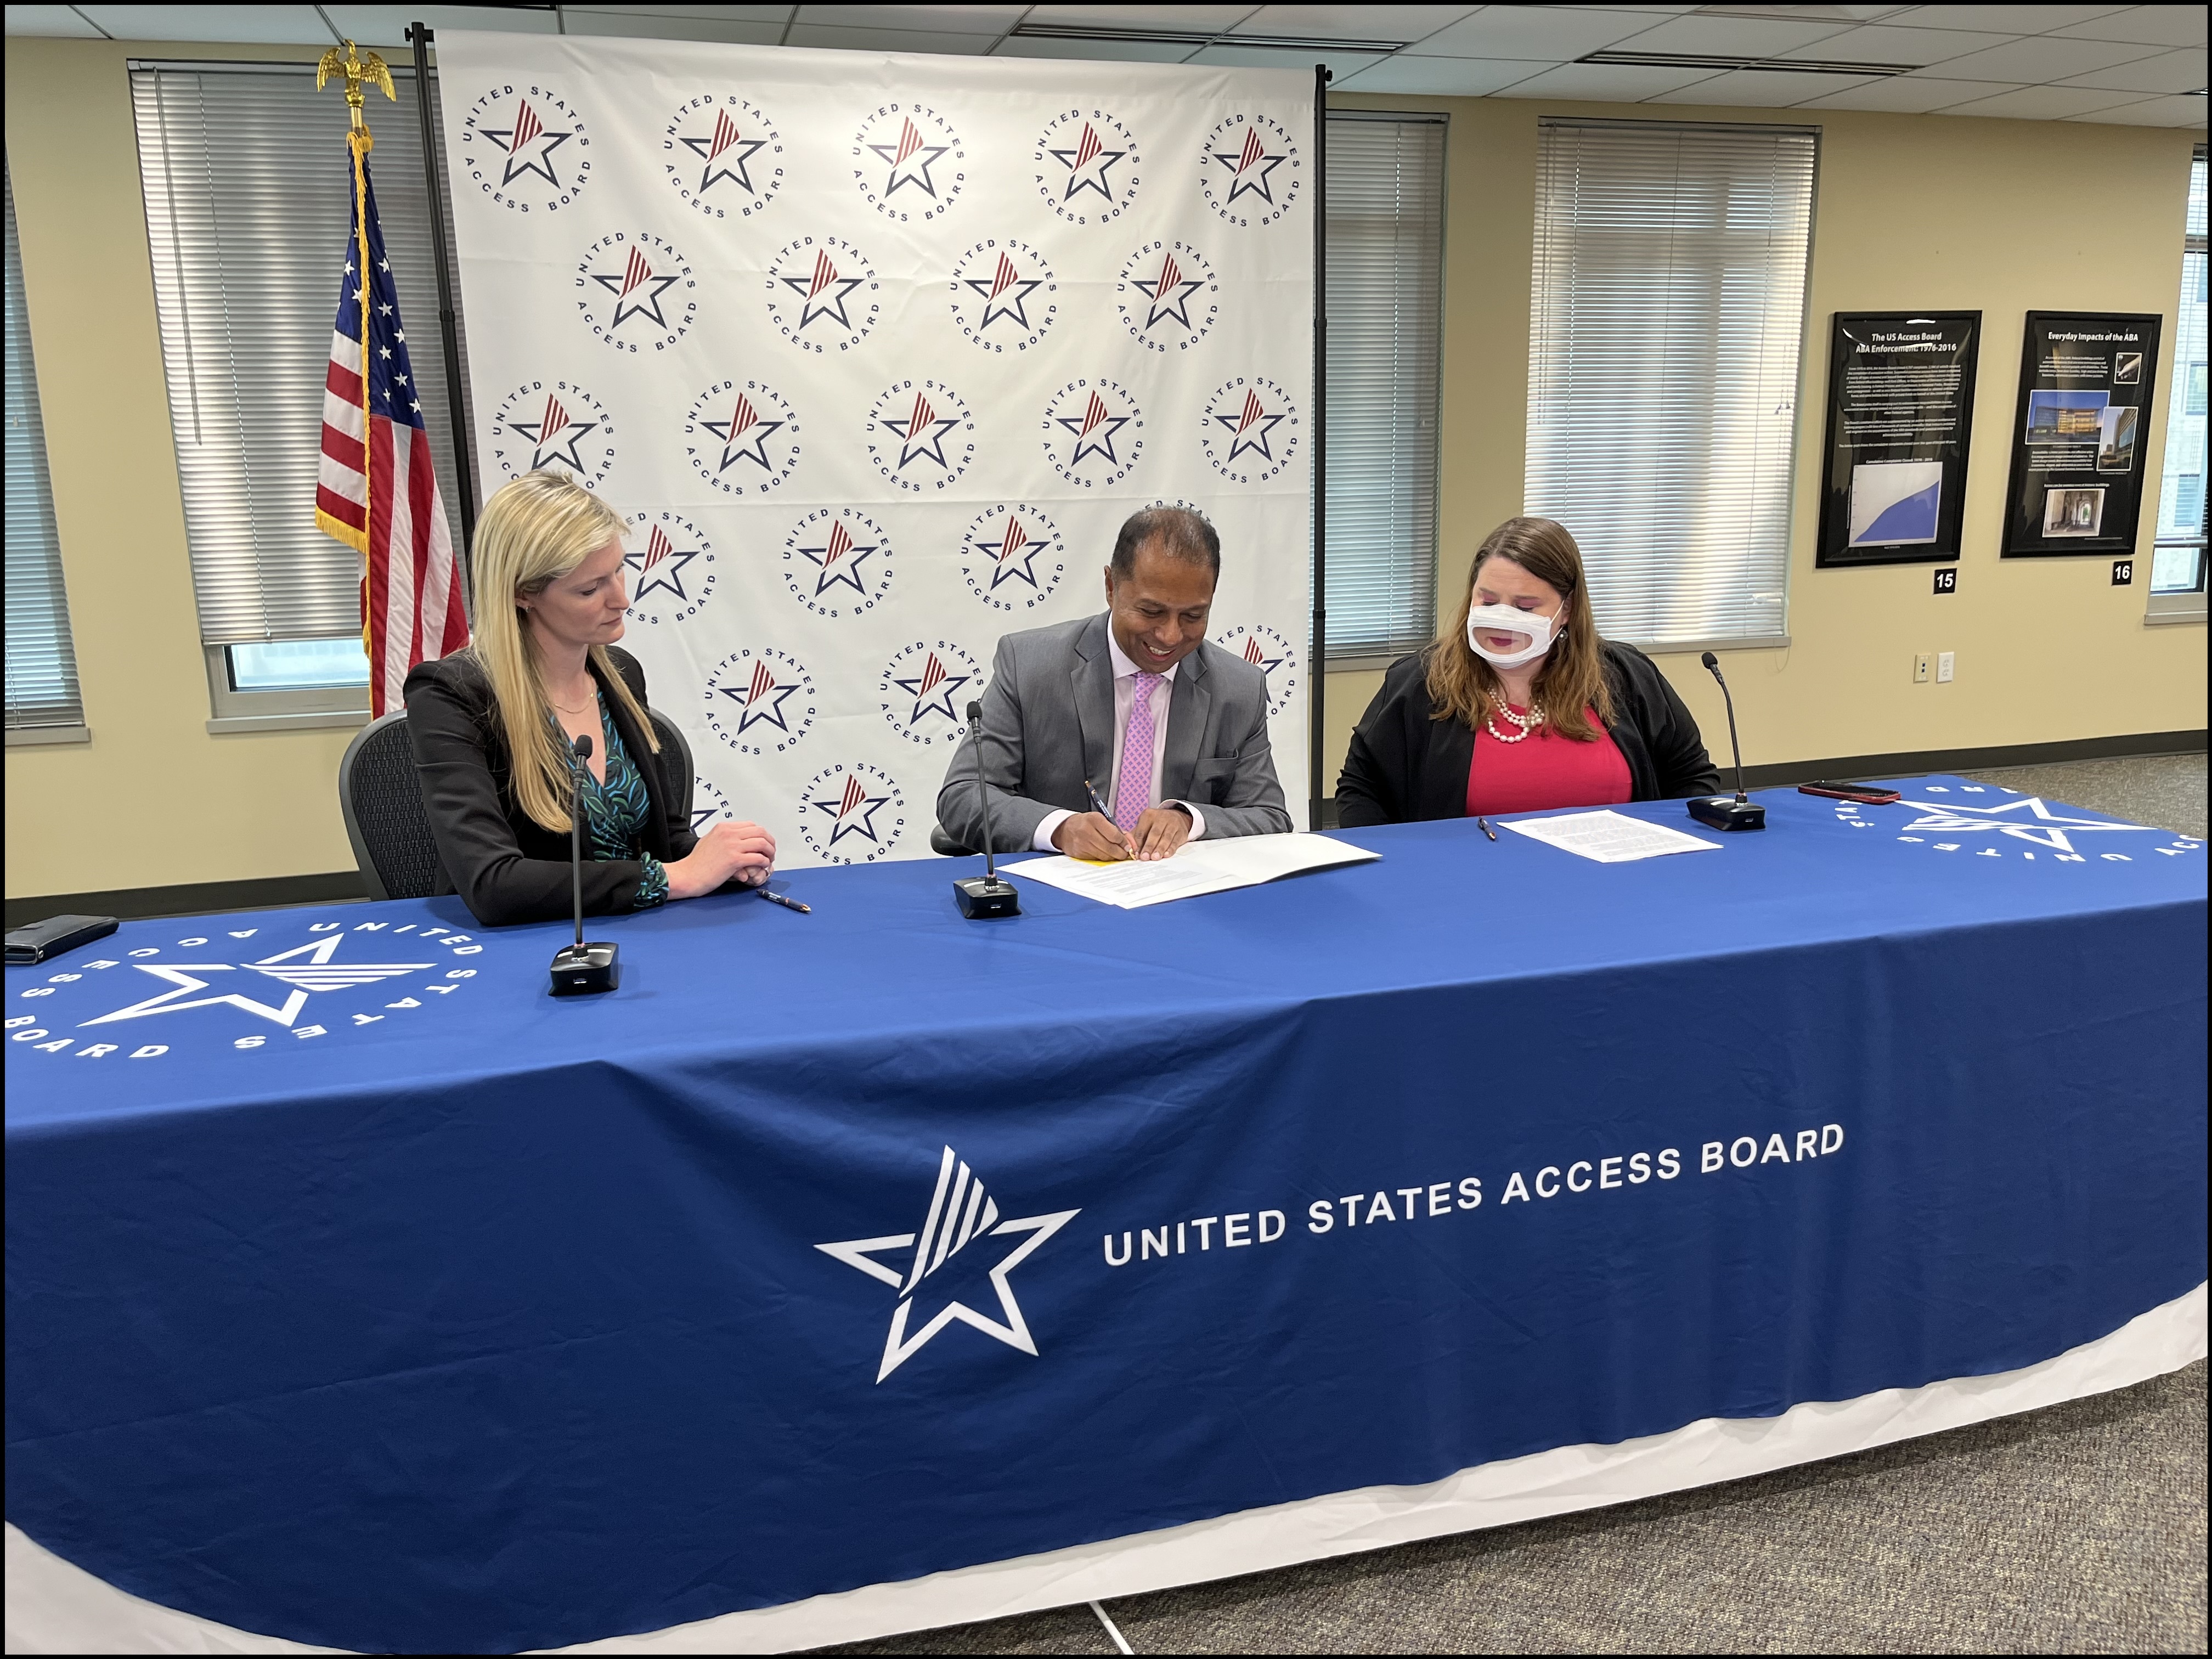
(1914, 213)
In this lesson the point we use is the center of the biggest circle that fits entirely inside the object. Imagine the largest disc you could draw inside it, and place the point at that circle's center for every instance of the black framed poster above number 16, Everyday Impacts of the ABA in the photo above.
(2080, 435)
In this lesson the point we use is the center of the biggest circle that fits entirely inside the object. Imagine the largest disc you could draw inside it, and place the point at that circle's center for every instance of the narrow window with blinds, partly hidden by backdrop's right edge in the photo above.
(1386, 271)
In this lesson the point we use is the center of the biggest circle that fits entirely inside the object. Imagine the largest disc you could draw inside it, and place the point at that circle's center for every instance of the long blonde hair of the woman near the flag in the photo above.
(532, 534)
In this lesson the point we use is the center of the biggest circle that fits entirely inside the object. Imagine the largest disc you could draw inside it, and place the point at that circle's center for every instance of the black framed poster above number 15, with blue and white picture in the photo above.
(1899, 421)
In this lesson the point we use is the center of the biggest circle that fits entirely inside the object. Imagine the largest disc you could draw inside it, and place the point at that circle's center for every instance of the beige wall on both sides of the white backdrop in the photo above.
(1914, 213)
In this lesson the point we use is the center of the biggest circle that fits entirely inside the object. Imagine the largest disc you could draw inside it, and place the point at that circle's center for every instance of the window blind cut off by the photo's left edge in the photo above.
(41, 658)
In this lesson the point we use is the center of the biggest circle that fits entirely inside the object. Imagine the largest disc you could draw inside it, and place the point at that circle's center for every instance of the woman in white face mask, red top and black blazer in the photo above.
(1521, 707)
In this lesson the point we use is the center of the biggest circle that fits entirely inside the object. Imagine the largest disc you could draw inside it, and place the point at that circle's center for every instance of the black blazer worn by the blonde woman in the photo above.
(503, 864)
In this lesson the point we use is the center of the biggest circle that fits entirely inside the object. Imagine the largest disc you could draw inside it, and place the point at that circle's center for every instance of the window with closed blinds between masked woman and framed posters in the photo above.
(1667, 320)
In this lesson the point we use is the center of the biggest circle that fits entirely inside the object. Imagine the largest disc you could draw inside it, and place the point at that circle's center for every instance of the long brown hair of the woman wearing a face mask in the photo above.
(1572, 678)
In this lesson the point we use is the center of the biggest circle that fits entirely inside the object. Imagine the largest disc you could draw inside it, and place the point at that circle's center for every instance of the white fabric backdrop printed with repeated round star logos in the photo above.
(875, 355)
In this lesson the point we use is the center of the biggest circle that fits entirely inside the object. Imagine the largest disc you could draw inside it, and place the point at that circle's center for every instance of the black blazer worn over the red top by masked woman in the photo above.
(1406, 766)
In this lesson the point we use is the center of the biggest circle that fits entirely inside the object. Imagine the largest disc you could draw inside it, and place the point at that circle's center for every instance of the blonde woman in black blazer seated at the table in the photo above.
(494, 731)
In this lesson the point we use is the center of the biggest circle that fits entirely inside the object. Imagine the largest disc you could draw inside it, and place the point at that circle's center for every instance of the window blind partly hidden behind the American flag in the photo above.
(247, 205)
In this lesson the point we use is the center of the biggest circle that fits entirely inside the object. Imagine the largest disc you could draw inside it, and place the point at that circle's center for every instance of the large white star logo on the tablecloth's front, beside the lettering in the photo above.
(961, 1218)
